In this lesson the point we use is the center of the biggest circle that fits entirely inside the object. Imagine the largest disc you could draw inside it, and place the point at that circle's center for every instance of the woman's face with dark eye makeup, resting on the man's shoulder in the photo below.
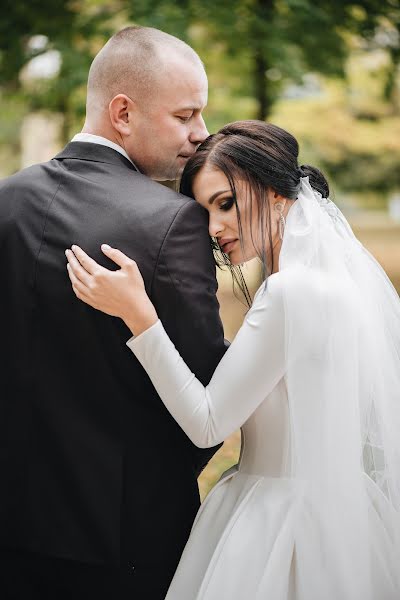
(212, 190)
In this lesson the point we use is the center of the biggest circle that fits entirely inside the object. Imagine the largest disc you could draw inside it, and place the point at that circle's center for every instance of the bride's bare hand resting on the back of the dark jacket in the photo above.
(118, 293)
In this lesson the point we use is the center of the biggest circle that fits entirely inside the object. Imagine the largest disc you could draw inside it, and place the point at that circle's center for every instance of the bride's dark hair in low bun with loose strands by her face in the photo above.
(263, 155)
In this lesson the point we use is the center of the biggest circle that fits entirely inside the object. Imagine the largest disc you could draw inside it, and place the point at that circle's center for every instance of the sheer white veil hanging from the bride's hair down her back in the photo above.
(342, 328)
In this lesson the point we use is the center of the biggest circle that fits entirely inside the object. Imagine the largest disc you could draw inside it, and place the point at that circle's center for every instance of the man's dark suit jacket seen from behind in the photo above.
(92, 466)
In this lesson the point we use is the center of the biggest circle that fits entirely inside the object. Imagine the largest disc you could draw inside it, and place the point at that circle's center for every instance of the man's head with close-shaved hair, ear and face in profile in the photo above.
(146, 92)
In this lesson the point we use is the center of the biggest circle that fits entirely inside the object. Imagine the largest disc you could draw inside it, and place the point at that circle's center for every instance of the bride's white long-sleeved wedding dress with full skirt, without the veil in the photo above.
(283, 525)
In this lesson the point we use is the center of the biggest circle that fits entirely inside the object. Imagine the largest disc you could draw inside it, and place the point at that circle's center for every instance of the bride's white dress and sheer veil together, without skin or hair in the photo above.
(313, 376)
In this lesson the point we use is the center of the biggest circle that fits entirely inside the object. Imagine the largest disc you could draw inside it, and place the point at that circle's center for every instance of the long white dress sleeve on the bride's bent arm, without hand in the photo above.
(250, 369)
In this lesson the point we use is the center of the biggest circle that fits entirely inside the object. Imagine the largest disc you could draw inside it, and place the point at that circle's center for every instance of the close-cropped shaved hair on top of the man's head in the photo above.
(132, 62)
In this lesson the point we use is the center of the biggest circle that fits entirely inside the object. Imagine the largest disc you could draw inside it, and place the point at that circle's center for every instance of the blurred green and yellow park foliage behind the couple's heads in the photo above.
(327, 71)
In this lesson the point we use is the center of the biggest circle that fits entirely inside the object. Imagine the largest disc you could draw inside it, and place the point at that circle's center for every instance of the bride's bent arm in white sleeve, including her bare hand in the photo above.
(248, 372)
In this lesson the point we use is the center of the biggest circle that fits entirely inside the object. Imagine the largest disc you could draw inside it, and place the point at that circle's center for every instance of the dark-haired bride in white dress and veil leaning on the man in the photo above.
(312, 377)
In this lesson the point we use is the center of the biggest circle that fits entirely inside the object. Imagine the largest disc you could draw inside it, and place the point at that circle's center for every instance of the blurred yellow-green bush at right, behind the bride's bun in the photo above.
(358, 153)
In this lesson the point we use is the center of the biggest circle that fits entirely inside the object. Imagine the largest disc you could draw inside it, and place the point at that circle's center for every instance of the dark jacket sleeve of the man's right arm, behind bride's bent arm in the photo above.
(184, 293)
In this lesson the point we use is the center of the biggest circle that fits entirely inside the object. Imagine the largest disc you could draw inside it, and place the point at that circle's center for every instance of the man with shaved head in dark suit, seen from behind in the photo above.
(98, 482)
